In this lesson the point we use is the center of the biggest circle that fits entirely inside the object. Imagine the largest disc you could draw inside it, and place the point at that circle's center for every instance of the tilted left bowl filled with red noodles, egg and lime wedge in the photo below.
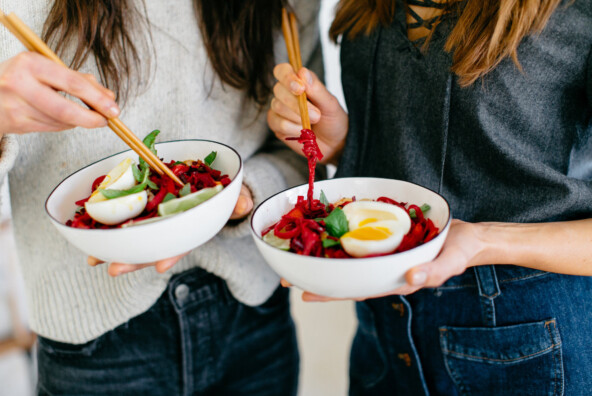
(117, 209)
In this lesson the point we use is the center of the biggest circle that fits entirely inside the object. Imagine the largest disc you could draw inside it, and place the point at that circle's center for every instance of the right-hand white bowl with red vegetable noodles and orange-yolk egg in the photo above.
(372, 231)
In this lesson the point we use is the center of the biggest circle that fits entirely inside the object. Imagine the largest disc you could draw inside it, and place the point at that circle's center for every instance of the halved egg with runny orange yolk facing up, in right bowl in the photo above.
(374, 228)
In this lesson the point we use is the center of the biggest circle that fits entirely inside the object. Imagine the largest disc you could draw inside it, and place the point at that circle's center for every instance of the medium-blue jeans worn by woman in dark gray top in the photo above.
(494, 330)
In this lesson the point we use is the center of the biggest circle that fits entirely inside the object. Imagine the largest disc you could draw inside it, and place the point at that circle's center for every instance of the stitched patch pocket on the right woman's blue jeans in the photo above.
(523, 359)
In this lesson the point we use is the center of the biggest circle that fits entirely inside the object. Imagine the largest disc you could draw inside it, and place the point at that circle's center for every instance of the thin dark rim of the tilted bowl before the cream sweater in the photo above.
(56, 221)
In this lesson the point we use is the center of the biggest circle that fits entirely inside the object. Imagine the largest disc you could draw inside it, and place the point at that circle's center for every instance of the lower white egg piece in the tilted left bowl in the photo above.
(117, 210)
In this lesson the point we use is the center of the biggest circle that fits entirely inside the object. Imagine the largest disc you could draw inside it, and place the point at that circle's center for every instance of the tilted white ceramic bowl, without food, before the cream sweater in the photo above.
(168, 237)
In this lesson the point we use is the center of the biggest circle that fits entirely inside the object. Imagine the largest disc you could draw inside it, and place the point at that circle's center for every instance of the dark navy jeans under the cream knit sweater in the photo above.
(196, 340)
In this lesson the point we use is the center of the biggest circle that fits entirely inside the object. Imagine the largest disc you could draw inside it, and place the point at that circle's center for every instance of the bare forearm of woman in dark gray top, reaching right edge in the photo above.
(562, 247)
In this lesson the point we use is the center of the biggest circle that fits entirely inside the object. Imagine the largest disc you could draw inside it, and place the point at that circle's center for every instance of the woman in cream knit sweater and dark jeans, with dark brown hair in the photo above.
(214, 321)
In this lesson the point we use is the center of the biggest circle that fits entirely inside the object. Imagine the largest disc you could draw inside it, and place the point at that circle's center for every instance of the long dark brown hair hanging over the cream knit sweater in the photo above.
(238, 35)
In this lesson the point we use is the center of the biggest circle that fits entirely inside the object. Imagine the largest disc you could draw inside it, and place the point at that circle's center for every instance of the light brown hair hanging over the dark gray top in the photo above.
(487, 31)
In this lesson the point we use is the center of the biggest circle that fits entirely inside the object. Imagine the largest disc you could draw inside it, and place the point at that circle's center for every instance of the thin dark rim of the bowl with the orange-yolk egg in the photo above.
(361, 259)
